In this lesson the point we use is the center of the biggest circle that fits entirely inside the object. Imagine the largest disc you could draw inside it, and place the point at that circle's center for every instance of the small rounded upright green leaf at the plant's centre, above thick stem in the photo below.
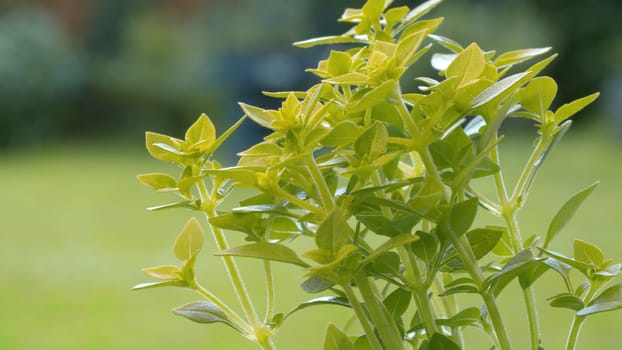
(333, 233)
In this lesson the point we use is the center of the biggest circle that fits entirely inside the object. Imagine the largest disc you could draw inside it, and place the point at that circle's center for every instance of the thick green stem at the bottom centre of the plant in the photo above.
(385, 325)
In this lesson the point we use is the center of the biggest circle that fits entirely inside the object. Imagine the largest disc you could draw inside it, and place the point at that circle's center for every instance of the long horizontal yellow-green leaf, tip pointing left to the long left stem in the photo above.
(266, 251)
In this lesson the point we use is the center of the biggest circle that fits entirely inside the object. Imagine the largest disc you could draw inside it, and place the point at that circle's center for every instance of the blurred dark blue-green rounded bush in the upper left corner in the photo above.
(41, 77)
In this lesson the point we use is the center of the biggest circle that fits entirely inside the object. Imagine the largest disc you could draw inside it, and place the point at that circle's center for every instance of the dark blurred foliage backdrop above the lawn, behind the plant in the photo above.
(158, 64)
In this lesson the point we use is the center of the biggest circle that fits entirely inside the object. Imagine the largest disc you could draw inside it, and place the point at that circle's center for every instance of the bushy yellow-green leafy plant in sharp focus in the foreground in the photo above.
(384, 184)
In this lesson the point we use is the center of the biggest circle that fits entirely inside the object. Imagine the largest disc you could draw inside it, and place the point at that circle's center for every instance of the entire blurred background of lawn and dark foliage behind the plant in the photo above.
(81, 80)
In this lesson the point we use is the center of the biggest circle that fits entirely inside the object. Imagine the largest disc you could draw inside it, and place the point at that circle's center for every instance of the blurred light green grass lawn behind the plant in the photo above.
(75, 235)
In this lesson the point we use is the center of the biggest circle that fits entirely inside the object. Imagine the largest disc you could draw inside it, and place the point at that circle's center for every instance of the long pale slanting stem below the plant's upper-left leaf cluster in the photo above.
(232, 269)
